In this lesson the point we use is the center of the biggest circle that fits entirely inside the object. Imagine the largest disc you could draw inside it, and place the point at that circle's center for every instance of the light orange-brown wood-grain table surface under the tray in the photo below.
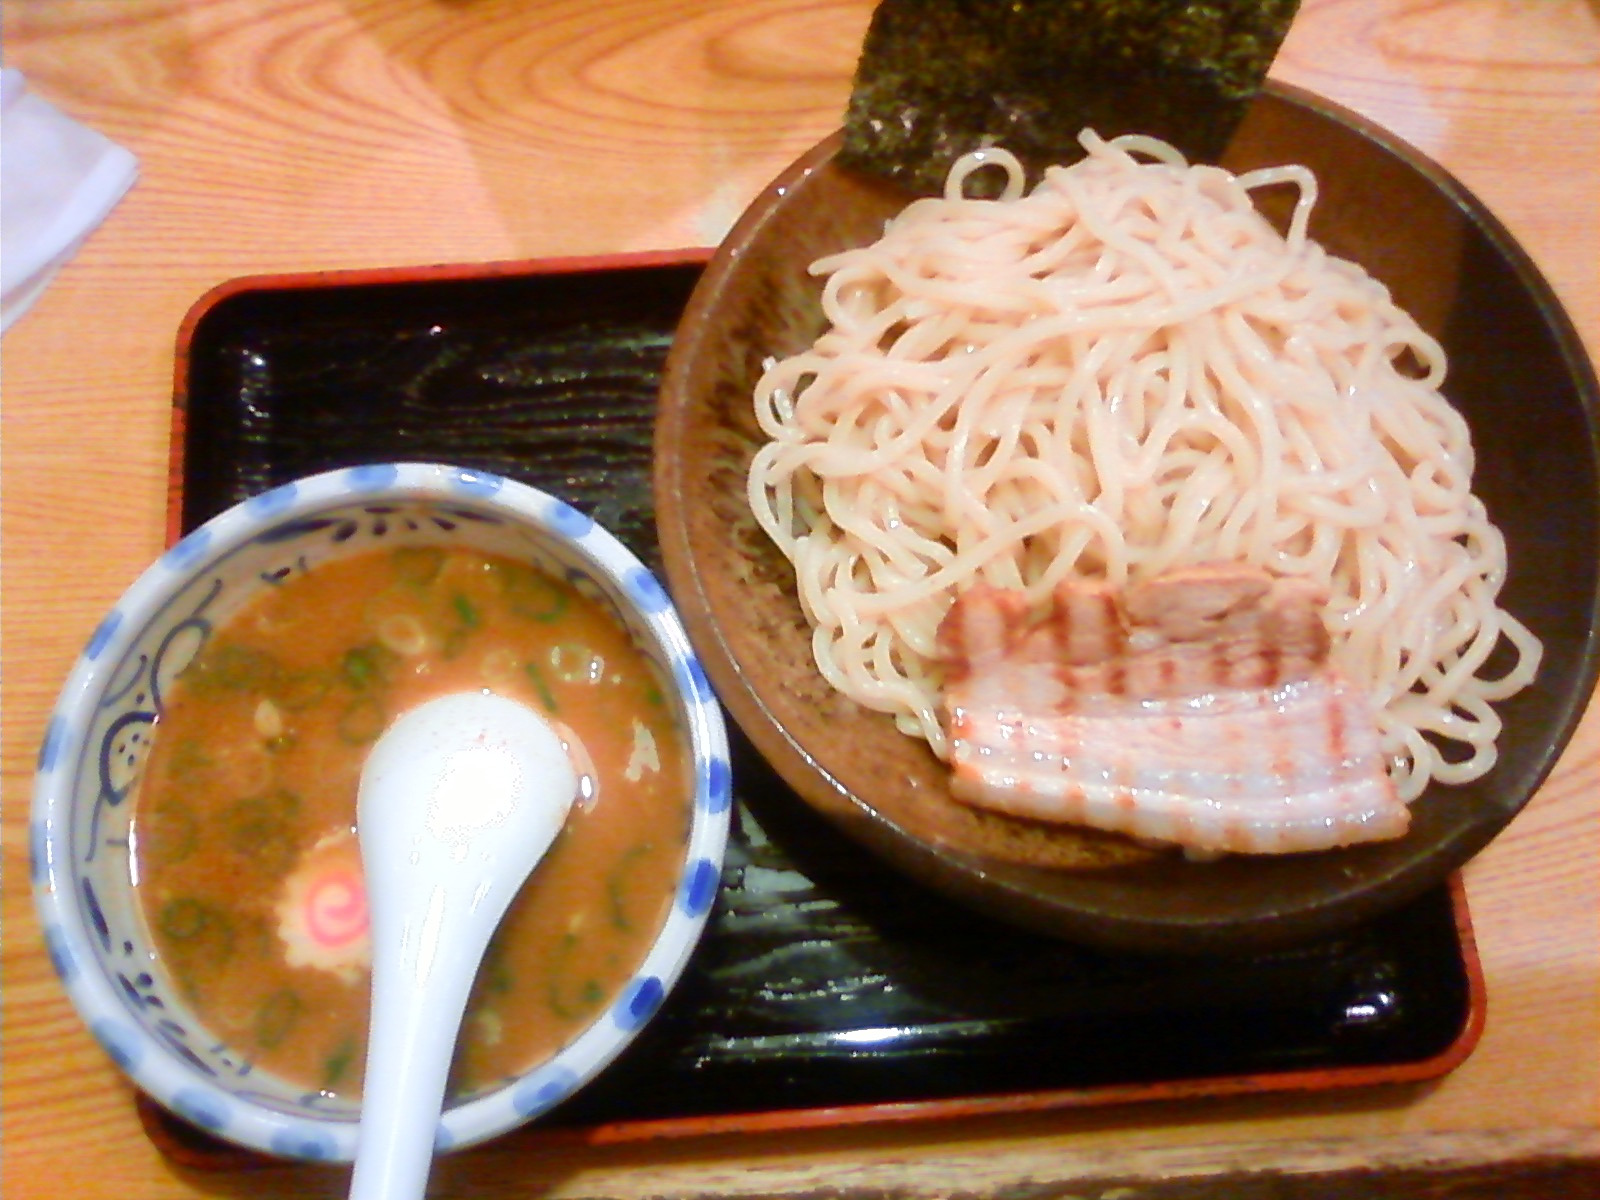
(300, 135)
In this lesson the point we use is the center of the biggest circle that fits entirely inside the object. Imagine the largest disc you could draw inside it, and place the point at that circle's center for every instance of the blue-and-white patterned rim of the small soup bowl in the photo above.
(66, 932)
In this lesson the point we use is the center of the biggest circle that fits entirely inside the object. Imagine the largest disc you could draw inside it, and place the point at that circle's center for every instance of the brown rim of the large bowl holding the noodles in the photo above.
(967, 878)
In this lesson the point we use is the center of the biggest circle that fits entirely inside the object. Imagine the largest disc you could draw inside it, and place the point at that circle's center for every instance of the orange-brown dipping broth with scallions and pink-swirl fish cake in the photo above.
(247, 865)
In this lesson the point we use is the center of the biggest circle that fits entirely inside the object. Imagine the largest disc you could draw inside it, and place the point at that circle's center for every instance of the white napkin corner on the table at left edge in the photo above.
(58, 182)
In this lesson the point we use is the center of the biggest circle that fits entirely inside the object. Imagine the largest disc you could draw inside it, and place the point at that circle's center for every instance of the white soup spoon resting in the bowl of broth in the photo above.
(460, 801)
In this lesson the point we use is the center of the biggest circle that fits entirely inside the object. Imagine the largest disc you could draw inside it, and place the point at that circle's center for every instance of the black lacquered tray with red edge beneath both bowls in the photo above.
(826, 988)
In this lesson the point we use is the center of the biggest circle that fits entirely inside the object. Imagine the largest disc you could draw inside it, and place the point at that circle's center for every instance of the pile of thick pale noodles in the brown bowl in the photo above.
(1124, 372)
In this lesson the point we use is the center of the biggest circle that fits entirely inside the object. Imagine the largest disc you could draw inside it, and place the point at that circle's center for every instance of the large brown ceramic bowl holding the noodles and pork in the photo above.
(1519, 374)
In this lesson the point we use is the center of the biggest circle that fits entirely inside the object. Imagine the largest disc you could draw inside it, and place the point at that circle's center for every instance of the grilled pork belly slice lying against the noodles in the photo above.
(1198, 708)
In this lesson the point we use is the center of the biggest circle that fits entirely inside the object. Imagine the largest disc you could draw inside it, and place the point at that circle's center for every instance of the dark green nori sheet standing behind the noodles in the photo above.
(942, 78)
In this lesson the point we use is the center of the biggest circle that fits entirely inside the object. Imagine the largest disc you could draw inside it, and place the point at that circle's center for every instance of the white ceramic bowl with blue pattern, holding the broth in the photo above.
(102, 730)
